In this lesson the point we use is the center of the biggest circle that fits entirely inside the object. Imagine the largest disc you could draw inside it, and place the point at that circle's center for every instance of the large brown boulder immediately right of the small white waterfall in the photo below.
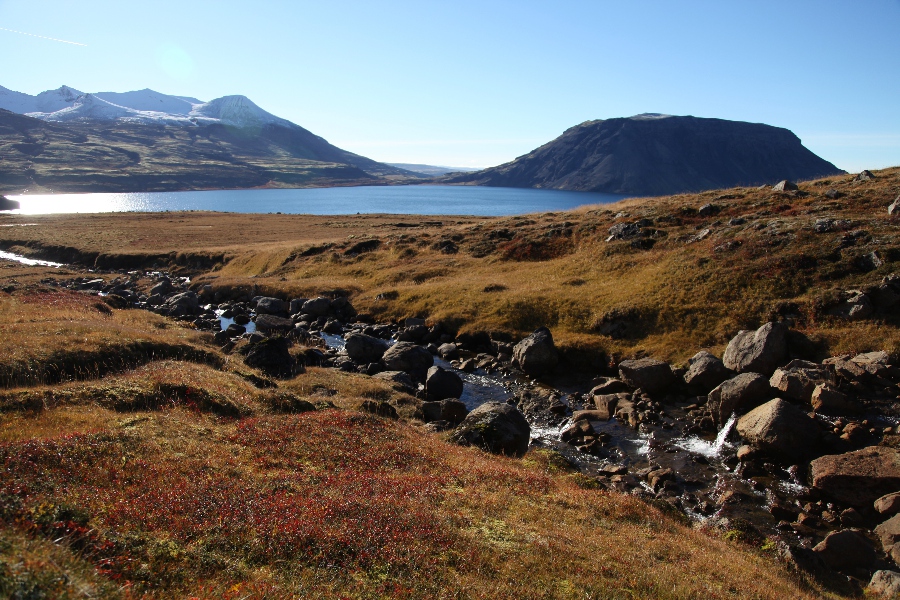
(780, 429)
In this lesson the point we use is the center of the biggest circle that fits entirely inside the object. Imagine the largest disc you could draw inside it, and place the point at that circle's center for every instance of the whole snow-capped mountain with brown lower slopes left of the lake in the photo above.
(66, 140)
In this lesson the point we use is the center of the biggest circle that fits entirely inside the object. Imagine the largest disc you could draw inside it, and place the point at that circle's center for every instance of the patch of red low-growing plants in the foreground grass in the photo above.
(324, 492)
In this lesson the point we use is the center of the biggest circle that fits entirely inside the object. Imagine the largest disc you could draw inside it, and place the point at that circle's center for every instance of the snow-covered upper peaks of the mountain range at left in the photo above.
(142, 106)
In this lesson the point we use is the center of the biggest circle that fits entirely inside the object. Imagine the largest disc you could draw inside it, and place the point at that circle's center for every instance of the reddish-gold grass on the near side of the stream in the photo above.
(177, 478)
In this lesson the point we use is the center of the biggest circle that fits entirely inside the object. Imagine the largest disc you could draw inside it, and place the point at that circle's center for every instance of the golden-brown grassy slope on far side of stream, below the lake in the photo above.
(676, 298)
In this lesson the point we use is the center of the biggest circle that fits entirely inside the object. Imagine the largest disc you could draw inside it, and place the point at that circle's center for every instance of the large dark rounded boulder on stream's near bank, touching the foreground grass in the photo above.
(495, 427)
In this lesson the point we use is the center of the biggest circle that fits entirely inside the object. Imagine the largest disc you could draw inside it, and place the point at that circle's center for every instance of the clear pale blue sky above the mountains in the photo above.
(477, 83)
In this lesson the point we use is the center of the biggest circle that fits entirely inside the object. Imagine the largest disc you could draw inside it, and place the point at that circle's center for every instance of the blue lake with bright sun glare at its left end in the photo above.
(414, 200)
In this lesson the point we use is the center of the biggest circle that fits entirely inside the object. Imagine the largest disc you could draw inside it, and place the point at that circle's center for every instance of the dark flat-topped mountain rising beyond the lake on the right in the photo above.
(657, 156)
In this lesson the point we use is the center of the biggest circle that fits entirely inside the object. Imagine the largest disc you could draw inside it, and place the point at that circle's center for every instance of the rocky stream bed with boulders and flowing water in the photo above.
(799, 457)
